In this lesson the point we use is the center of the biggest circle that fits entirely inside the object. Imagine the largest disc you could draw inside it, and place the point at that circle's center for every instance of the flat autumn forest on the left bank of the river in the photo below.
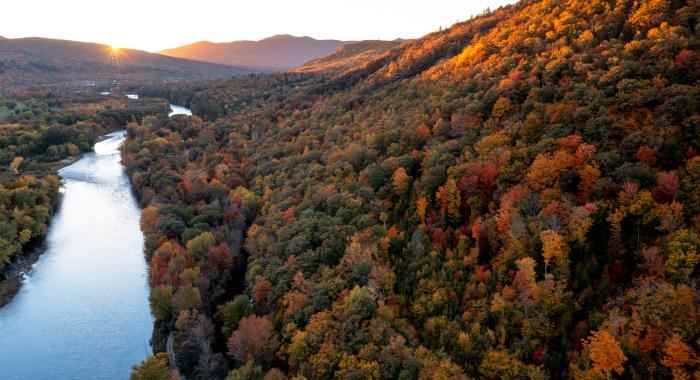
(40, 132)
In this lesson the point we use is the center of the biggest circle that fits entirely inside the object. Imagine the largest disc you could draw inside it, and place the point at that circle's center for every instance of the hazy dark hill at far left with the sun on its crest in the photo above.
(47, 61)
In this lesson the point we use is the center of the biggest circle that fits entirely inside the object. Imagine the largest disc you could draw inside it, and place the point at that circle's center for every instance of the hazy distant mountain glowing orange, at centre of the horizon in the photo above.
(274, 53)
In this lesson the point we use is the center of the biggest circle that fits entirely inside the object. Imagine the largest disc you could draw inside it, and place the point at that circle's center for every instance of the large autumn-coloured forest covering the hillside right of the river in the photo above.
(517, 196)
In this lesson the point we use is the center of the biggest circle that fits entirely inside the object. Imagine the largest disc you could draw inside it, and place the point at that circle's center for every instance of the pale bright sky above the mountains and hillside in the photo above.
(155, 25)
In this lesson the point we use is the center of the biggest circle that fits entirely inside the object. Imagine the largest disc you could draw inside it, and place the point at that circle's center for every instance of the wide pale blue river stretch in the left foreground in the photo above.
(82, 311)
